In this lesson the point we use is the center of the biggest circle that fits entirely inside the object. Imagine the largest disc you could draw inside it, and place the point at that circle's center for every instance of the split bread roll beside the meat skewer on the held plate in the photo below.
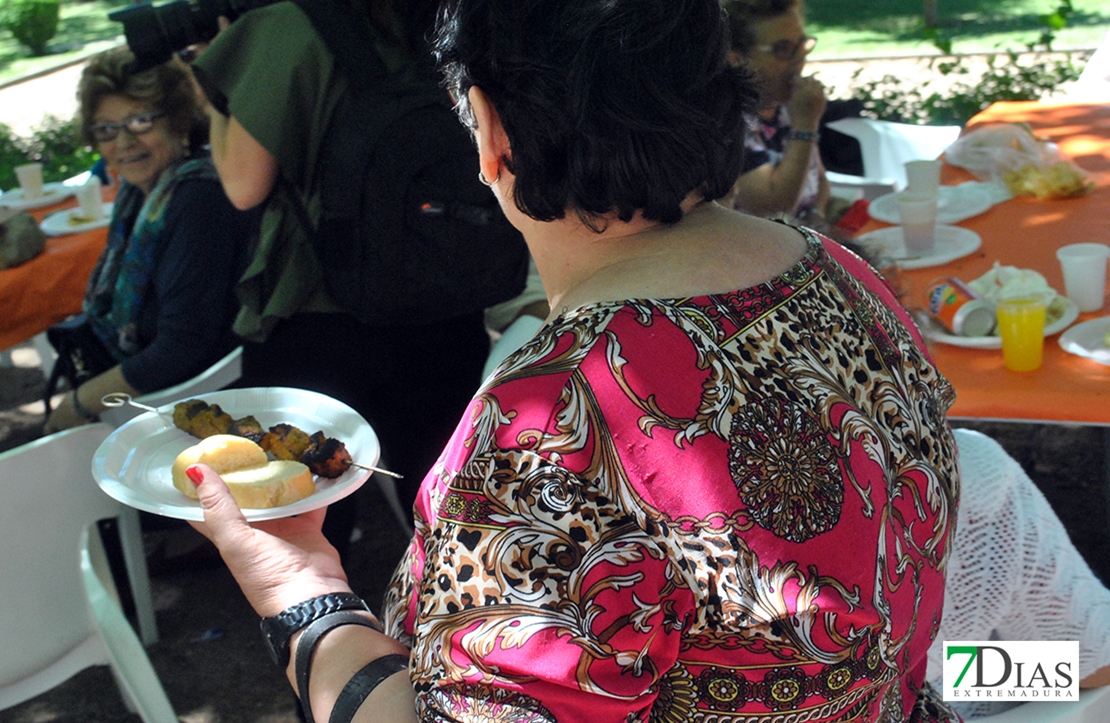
(254, 481)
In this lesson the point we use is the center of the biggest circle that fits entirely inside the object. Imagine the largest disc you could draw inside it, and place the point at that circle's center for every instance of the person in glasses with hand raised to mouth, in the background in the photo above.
(783, 172)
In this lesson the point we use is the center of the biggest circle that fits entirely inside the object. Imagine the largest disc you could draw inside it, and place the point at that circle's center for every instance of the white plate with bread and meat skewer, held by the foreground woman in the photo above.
(134, 465)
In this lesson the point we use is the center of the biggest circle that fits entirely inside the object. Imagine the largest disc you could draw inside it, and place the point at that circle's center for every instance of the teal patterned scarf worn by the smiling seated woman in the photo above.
(137, 239)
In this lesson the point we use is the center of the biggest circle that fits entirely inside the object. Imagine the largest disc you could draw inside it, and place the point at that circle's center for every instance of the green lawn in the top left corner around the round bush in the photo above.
(83, 24)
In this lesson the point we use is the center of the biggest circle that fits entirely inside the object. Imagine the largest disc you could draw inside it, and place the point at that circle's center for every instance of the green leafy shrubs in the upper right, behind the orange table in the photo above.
(1010, 76)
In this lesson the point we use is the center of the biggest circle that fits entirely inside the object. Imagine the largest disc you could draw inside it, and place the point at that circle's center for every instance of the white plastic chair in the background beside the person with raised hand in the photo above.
(885, 147)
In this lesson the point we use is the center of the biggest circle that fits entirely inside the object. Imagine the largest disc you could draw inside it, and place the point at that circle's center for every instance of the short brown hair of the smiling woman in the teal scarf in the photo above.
(168, 87)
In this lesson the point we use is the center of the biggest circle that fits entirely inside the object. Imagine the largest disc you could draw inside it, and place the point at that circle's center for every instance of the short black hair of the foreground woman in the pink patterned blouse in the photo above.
(610, 106)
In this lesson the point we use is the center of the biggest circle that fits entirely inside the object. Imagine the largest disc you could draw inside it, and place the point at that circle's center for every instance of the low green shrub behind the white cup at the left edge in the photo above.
(56, 145)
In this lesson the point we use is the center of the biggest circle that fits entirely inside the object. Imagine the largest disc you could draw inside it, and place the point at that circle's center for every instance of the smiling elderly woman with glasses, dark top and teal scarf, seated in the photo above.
(162, 300)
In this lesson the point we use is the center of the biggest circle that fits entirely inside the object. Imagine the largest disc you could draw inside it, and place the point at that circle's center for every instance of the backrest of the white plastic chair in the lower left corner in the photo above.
(49, 498)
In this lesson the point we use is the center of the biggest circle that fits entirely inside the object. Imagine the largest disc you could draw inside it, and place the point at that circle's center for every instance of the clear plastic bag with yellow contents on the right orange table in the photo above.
(1012, 156)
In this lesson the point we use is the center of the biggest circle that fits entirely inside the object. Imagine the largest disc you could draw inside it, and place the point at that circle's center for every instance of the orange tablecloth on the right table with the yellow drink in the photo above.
(1026, 234)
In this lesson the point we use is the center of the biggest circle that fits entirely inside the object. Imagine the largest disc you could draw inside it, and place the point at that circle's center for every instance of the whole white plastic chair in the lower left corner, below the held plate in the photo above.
(48, 631)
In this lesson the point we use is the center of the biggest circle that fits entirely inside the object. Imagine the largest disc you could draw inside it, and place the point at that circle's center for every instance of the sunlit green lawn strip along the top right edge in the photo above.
(861, 28)
